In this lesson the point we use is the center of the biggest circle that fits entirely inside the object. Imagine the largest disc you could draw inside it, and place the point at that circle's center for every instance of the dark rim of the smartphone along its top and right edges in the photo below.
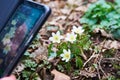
(36, 29)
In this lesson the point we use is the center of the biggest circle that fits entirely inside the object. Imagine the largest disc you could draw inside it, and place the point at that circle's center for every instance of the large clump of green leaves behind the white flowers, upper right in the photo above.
(103, 15)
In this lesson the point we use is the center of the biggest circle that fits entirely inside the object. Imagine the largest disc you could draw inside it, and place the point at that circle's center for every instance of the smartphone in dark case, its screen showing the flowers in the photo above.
(18, 33)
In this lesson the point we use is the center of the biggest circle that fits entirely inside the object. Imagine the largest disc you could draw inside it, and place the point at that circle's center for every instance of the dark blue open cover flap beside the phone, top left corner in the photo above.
(6, 9)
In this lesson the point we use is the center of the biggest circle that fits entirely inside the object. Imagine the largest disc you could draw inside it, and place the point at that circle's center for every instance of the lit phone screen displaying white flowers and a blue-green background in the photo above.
(16, 32)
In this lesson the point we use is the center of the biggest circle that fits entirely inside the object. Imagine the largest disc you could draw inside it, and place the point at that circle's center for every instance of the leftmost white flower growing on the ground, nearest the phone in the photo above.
(56, 37)
